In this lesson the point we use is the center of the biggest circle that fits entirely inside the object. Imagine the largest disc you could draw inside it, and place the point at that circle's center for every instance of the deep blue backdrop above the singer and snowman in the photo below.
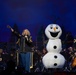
(33, 14)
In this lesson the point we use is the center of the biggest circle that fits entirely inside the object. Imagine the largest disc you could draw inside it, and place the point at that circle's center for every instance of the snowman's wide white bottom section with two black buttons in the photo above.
(53, 60)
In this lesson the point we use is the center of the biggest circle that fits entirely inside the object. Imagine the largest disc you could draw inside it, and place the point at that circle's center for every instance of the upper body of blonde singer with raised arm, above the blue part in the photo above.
(24, 41)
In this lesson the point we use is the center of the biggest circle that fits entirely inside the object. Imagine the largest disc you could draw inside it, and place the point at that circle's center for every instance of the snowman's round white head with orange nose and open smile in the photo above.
(53, 31)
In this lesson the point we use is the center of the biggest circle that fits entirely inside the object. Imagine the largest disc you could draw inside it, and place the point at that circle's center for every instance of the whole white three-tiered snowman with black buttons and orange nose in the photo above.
(53, 58)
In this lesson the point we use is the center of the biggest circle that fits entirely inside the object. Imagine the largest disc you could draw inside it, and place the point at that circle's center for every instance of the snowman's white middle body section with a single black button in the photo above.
(54, 46)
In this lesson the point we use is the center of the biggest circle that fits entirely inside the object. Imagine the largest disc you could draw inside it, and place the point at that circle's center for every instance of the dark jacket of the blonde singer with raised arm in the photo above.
(25, 45)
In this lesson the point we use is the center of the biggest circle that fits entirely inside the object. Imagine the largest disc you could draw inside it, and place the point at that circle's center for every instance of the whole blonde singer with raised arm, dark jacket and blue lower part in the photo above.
(26, 44)
